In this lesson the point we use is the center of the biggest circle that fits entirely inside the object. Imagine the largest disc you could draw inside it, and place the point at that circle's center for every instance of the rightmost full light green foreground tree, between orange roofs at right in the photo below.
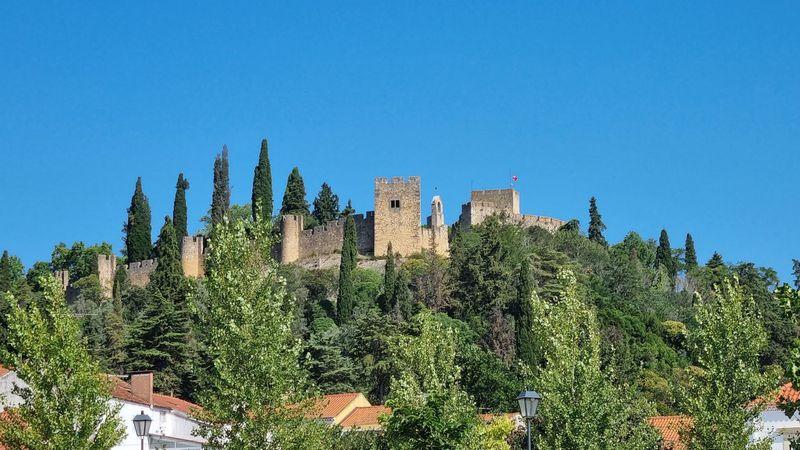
(727, 343)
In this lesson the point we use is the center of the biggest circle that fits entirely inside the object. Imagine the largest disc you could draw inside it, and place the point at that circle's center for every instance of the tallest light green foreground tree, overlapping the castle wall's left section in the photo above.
(254, 371)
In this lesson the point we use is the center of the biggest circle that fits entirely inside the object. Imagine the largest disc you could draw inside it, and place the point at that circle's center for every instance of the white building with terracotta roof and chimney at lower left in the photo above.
(172, 427)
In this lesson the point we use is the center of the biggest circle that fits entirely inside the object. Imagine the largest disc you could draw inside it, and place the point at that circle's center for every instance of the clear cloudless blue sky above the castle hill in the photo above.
(682, 115)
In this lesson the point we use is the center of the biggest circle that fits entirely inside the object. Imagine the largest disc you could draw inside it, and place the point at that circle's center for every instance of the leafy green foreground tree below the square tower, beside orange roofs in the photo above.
(429, 408)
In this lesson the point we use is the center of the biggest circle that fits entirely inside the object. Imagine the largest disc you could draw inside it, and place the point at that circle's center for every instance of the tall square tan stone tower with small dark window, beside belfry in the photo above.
(397, 215)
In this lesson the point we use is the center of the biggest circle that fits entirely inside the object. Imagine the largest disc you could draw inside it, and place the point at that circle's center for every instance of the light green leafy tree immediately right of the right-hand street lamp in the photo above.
(583, 409)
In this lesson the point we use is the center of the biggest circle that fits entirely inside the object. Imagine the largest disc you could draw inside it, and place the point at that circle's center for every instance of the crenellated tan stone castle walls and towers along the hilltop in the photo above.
(396, 218)
